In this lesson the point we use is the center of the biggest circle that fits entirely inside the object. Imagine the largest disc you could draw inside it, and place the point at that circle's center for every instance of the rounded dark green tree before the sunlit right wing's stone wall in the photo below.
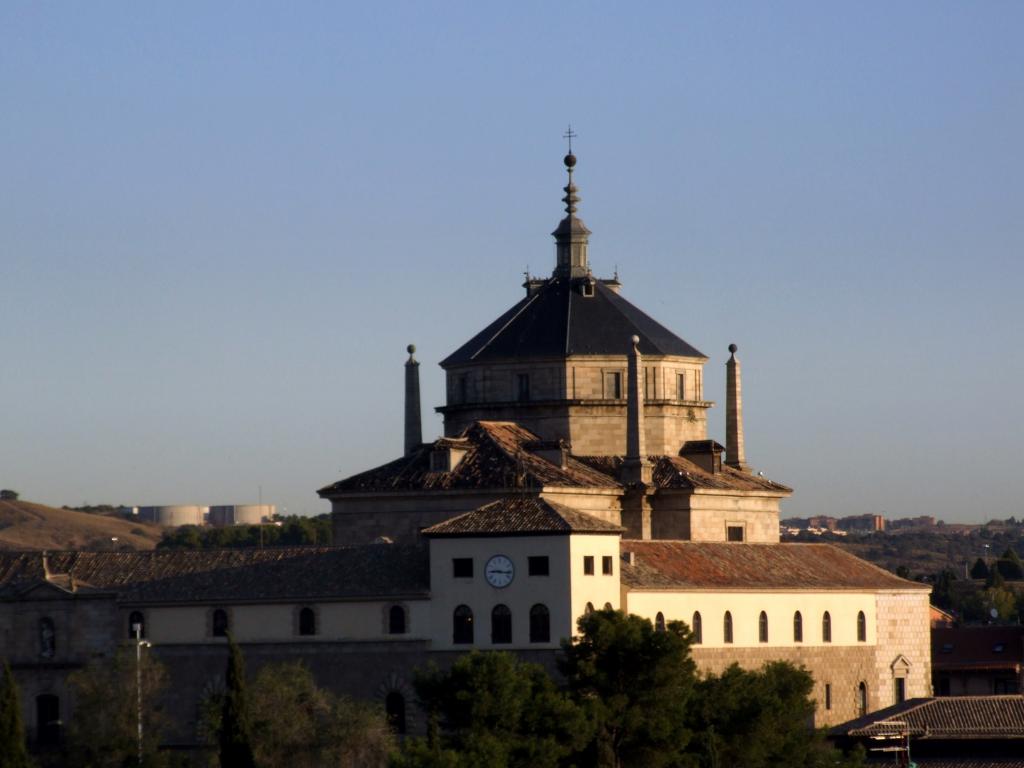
(758, 719)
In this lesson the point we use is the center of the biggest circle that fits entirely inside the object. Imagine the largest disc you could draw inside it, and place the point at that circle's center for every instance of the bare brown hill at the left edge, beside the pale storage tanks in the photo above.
(25, 526)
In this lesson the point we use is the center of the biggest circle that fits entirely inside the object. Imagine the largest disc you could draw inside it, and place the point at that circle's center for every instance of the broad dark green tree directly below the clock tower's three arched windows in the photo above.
(494, 710)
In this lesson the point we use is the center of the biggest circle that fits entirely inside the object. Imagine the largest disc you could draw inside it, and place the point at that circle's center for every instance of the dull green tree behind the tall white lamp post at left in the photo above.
(105, 731)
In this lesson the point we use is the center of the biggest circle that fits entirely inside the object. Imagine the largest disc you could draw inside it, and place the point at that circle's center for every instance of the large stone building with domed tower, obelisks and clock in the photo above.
(576, 472)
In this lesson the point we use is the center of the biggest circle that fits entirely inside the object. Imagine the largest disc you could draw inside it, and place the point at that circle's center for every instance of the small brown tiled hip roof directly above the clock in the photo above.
(521, 516)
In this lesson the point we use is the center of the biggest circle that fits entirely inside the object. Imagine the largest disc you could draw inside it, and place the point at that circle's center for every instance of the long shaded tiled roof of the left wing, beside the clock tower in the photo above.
(238, 575)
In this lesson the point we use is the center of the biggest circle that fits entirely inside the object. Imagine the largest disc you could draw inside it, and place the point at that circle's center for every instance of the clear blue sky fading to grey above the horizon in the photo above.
(222, 224)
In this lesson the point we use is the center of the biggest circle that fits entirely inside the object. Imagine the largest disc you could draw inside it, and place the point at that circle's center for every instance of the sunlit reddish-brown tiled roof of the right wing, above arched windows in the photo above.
(672, 565)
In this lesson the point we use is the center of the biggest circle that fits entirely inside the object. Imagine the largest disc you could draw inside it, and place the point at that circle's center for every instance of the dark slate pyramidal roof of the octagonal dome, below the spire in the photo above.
(558, 322)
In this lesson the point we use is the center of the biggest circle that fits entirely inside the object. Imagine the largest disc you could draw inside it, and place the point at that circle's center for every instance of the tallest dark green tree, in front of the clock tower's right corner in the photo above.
(635, 685)
